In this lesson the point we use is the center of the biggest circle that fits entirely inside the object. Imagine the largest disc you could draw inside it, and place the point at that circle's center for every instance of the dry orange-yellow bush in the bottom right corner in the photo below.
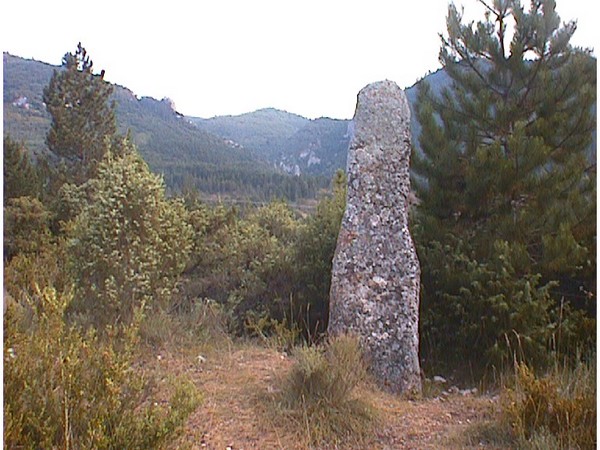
(559, 408)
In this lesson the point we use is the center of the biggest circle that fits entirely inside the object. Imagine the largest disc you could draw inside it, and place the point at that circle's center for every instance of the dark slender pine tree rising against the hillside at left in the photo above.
(83, 119)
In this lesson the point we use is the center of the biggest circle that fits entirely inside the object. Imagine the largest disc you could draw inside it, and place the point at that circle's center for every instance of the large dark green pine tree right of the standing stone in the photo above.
(504, 175)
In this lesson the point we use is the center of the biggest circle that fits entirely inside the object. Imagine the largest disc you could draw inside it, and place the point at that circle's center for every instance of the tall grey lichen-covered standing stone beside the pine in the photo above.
(376, 274)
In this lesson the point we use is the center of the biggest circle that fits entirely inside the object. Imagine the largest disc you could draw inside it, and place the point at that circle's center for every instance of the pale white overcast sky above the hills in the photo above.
(217, 57)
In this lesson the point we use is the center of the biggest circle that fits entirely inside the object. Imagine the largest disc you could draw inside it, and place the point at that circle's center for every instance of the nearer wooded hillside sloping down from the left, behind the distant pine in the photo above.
(170, 144)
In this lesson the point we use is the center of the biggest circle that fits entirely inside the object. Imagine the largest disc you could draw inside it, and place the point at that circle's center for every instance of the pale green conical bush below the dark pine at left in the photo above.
(129, 243)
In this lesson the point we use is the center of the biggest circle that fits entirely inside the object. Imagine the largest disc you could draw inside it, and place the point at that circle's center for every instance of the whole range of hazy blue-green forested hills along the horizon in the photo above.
(260, 154)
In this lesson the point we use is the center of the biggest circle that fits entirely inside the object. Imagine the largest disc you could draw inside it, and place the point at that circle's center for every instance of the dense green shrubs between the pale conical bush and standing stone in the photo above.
(266, 263)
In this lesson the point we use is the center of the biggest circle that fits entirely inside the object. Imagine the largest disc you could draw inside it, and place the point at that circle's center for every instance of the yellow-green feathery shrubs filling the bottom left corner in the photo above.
(69, 389)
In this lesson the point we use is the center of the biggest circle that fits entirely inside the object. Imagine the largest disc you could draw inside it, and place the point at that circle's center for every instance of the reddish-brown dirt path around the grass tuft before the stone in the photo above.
(233, 414)
